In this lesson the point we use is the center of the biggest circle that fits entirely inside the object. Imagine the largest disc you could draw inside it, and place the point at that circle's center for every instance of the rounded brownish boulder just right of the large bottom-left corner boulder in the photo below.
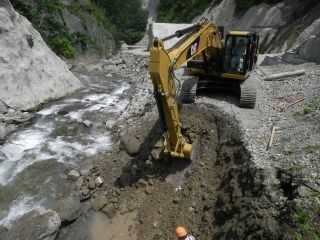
(68, 208)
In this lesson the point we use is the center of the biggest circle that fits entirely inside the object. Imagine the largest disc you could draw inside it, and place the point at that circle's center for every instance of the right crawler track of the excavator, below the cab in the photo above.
(248, 94)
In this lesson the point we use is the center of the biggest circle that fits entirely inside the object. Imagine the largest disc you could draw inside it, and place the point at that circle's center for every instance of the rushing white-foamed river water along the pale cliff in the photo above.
(36, 160)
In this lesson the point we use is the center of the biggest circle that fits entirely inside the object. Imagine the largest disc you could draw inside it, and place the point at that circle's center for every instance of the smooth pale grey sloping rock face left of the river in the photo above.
(30, 72)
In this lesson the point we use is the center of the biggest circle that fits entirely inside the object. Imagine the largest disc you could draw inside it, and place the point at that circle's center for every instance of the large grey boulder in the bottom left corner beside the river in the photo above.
(39, 224)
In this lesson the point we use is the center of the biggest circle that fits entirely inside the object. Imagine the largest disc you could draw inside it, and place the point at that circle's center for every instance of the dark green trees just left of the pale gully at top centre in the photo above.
(127, 20)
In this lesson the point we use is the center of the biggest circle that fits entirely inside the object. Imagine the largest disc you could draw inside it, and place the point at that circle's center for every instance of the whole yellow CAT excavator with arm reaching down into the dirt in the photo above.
(214, 59)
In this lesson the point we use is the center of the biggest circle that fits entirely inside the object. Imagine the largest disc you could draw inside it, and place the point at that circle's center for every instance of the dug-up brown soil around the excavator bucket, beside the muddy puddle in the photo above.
(221, 195)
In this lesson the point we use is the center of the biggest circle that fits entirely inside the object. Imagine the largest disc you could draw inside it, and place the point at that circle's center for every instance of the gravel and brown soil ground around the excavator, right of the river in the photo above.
(238, 187)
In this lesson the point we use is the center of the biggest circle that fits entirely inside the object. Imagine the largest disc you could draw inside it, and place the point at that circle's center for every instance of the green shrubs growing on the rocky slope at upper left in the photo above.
(43, 14)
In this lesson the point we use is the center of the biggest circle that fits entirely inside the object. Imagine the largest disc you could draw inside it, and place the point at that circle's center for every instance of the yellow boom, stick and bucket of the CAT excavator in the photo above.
(202, 38)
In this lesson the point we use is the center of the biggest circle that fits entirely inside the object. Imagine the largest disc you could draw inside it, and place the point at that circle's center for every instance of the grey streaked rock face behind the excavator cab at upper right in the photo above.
(280, 26)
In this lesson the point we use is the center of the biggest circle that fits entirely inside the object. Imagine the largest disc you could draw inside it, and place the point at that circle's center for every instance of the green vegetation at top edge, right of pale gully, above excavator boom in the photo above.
(181, 11)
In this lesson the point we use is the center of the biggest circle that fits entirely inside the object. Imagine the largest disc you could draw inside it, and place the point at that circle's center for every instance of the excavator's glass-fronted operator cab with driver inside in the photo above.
(241, 53)
